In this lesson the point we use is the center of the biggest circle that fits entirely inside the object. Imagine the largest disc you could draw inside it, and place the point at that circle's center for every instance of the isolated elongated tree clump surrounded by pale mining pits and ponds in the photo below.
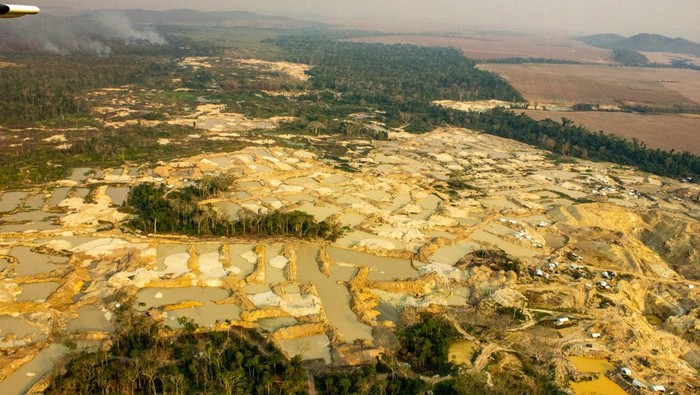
(157, 209)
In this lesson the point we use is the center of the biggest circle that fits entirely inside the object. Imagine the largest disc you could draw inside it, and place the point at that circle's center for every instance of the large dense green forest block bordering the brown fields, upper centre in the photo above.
(399, 80)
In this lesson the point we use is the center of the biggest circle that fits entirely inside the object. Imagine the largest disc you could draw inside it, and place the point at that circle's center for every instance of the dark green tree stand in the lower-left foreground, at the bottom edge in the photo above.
(147, 358)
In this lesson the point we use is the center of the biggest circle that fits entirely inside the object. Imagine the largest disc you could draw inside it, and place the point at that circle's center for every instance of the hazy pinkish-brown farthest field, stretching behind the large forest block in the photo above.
(506, 45)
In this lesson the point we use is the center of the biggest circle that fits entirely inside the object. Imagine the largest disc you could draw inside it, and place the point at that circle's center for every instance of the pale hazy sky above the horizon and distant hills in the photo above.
(669, 17)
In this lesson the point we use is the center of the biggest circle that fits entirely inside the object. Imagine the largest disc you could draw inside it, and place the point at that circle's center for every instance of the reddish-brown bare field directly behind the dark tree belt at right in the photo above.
(666, 132)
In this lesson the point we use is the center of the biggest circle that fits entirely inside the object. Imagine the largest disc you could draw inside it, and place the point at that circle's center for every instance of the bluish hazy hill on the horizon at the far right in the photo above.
(643, 42)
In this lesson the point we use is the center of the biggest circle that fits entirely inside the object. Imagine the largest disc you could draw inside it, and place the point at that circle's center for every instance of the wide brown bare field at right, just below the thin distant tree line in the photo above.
(603, 84)
